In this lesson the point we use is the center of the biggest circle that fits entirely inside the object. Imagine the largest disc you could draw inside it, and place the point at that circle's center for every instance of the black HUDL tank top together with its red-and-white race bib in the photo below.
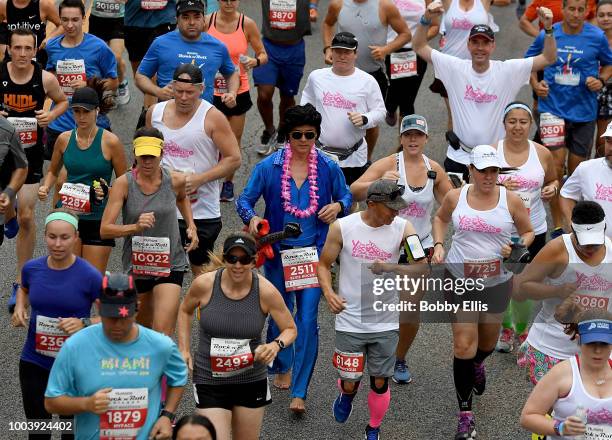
(21, 101)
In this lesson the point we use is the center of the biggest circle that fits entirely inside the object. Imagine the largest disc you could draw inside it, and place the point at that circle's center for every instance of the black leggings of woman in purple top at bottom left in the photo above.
(33, 380)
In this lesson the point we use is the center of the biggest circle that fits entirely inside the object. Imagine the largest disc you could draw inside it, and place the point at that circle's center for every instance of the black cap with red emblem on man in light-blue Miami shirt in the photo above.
(118, 298)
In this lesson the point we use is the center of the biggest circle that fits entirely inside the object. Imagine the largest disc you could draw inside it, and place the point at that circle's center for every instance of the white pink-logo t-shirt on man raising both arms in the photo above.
(477, 100)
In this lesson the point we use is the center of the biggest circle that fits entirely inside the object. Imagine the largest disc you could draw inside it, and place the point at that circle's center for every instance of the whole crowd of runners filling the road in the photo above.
(111, 353)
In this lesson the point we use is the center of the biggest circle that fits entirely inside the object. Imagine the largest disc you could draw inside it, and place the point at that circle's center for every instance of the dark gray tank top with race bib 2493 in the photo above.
(230, 330)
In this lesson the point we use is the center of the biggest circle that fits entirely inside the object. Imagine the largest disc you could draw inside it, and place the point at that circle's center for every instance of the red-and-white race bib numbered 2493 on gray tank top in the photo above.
(229, 357)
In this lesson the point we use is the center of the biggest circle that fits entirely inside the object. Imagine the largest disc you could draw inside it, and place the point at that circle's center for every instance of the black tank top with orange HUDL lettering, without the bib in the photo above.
(22, 100)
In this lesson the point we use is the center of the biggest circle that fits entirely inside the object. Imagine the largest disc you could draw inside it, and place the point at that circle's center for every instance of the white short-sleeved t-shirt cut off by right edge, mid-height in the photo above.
(592, 181)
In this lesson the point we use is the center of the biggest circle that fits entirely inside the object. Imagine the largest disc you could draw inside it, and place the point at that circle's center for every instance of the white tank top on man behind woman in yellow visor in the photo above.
(190, 150)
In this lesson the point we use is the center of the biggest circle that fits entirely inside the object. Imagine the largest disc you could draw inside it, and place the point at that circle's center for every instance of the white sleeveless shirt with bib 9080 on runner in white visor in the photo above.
(594, 289)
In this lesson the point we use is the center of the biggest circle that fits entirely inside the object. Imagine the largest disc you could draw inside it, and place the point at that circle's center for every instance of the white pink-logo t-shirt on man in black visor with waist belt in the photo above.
(334, 96)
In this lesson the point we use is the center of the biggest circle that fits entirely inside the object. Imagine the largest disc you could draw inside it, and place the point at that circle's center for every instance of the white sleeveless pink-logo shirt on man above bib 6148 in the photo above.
(361, 246)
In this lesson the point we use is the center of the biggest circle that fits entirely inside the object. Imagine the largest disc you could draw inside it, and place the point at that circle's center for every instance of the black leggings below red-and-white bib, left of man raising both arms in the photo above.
(402, 91)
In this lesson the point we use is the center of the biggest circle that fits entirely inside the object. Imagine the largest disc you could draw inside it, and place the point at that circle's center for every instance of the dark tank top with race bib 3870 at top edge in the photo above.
(285, 23)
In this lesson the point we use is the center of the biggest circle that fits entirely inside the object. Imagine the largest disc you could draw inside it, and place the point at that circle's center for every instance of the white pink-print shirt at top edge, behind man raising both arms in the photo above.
(457, 24)
